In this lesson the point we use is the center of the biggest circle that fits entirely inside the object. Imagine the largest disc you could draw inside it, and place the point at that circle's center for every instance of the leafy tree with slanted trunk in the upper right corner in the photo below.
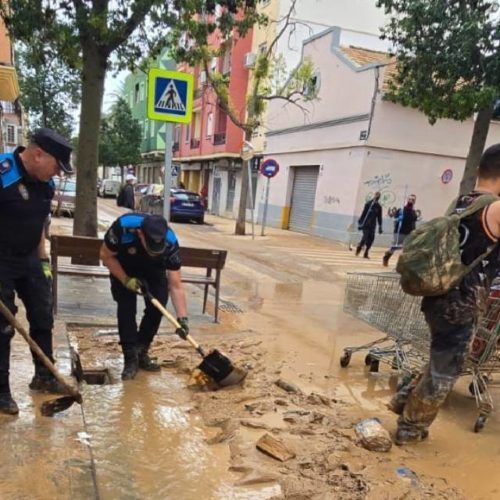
(448, 63)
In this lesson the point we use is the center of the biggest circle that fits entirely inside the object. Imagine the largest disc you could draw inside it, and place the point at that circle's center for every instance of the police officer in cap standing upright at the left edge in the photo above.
(26, 191)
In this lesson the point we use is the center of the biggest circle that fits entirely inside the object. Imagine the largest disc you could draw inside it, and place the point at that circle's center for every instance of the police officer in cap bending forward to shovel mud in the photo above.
(140, 248)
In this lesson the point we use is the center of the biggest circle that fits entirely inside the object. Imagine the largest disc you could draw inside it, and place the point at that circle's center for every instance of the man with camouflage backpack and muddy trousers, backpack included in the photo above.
(451, 261)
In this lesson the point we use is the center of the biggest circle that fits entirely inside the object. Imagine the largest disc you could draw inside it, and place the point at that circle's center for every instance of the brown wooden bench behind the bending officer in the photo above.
(87, 249)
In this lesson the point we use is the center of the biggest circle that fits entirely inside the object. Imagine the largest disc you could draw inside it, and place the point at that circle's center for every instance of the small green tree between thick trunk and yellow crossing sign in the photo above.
(120, 137)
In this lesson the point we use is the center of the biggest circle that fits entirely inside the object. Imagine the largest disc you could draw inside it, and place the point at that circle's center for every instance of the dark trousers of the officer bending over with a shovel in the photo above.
(130, 335)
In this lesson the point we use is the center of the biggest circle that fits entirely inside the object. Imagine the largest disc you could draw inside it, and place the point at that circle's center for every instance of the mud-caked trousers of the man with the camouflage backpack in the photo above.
(449, 347)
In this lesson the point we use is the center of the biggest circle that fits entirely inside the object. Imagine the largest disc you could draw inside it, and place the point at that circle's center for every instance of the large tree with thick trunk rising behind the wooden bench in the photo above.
(95, 35)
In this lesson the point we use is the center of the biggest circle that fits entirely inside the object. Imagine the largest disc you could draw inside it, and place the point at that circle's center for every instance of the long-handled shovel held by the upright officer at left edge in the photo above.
(53, 406)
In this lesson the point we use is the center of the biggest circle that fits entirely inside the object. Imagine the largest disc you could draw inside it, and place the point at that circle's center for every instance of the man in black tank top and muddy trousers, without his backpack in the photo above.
(452, 317)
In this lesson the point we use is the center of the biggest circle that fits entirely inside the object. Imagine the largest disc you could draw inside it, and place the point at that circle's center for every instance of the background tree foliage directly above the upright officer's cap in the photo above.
(50, 90)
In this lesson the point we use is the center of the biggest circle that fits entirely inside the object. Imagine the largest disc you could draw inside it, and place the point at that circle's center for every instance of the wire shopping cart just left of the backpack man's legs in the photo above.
(377, 299)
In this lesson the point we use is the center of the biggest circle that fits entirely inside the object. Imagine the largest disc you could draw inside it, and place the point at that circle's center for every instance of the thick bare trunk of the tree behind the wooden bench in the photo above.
(93, 74)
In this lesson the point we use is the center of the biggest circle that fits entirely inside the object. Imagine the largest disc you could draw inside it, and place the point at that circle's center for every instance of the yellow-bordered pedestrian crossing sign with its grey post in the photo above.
(170, 99)
